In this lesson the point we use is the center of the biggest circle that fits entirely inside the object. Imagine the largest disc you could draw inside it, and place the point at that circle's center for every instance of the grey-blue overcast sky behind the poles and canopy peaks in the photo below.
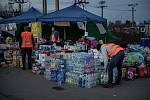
(116, 10)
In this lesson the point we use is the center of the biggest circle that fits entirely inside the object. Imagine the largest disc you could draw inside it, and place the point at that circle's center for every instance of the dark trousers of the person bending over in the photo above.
(116, 61)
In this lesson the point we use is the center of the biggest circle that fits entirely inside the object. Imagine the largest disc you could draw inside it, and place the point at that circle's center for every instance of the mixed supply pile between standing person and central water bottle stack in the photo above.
(51, 65)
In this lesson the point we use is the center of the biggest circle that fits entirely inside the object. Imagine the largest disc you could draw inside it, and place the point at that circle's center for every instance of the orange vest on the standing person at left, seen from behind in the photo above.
(26, 40)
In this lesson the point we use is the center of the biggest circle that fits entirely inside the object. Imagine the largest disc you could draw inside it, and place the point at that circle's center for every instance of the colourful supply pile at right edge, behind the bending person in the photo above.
(136, 62)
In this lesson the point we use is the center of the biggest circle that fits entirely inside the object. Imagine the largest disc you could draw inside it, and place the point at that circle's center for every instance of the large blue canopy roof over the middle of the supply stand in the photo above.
(72, 14)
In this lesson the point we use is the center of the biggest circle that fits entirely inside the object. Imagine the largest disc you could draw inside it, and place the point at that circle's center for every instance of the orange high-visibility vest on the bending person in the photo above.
(113, 49)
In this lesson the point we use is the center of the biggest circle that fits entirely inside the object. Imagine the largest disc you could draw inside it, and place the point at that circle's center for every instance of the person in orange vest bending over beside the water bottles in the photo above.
(114, 55)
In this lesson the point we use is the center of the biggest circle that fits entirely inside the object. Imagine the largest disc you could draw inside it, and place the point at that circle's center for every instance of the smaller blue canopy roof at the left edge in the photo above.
(29, 16)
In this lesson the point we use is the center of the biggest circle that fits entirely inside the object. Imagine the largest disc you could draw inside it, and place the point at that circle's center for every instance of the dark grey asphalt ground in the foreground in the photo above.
(18, 84)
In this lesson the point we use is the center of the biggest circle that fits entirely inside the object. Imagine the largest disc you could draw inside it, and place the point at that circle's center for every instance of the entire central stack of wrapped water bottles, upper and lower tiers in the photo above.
(81, 70)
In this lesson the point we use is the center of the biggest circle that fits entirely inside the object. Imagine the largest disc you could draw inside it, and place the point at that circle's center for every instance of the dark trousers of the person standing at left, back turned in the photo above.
(28, 52)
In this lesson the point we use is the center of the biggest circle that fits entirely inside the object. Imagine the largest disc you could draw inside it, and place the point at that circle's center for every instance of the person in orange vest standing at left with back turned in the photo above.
(27, 44)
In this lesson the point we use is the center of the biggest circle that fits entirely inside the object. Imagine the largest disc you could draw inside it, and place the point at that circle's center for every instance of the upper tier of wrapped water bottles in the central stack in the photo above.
(79, 62)
